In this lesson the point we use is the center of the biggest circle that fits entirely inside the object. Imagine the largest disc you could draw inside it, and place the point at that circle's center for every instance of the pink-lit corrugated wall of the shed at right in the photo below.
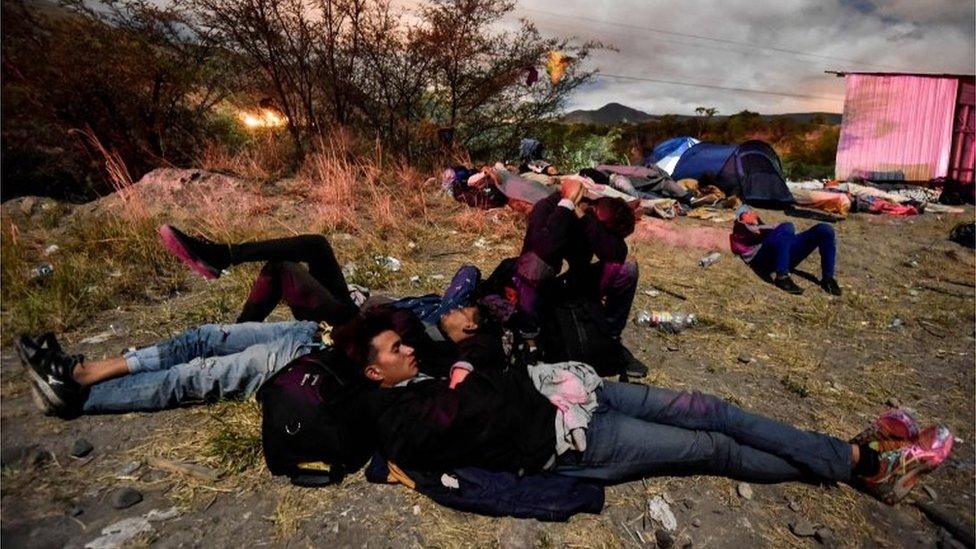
(896, 127)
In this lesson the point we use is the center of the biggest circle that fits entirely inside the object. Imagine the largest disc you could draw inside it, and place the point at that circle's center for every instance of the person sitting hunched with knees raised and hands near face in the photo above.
(559, 229)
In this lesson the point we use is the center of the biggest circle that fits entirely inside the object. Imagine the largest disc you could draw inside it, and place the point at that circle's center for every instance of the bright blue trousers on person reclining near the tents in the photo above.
(782, 249)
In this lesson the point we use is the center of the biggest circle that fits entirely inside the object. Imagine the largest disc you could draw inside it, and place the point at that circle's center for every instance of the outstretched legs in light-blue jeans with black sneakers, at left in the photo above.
(203, 364)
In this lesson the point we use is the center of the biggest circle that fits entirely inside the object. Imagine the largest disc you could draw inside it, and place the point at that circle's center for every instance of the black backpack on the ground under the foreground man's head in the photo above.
(313, 426)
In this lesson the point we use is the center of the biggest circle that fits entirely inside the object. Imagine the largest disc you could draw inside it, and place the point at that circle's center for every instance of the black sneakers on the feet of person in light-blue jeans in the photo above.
(54, 389)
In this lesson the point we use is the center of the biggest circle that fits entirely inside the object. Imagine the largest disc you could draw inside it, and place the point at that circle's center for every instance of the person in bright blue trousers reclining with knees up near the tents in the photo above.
(777, 249)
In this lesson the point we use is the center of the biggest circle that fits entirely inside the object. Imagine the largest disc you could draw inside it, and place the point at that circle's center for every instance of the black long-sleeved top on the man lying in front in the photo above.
(494, 420)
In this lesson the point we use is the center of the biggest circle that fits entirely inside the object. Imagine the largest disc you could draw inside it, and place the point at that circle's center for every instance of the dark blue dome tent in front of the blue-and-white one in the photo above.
(752, 171)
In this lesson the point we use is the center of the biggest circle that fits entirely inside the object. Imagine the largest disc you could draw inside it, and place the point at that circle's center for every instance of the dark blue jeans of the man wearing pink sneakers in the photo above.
(639, 431)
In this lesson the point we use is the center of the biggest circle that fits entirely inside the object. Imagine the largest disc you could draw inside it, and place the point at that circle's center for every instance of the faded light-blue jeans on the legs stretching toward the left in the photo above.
(203, 364)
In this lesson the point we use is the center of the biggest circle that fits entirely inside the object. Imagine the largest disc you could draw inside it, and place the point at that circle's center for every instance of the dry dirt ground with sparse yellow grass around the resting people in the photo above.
(902, 333)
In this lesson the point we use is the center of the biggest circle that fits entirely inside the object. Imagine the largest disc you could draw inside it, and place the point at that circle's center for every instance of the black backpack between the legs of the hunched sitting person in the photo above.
(576, 330)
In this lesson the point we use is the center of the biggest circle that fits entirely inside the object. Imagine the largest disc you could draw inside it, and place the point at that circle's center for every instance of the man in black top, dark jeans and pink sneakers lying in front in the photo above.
(565, 419)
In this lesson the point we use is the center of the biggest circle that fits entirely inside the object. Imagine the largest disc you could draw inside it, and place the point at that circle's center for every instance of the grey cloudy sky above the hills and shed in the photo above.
(781, 46)
